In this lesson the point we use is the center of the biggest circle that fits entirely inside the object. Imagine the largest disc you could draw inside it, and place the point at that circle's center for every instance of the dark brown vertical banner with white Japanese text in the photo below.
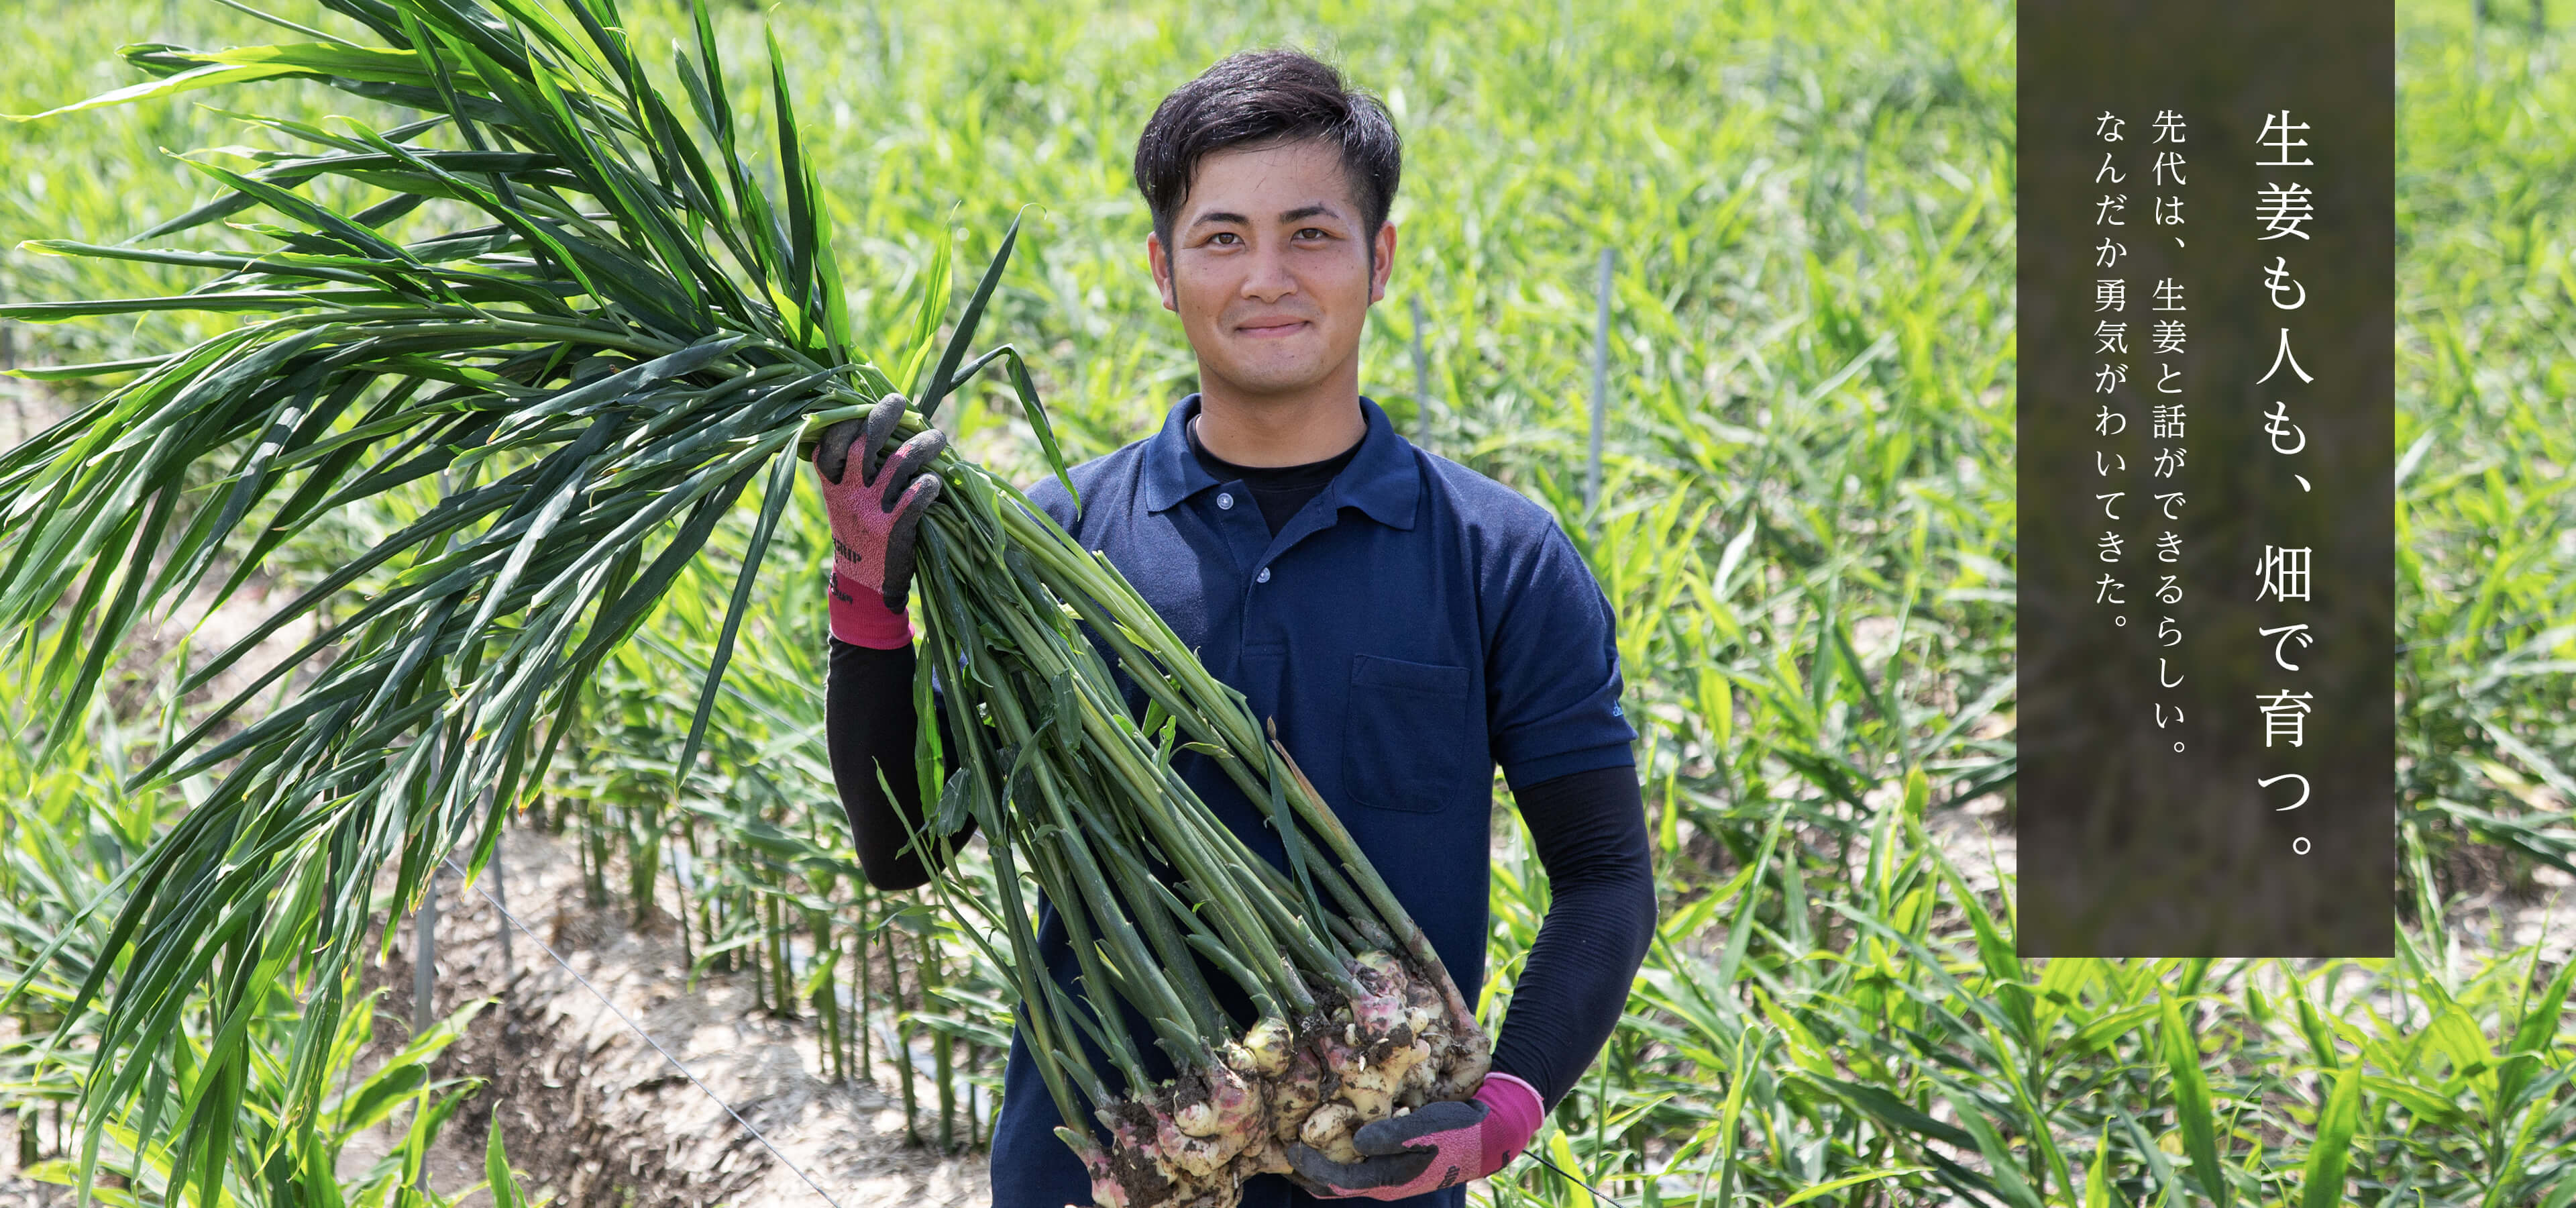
(2206, 478)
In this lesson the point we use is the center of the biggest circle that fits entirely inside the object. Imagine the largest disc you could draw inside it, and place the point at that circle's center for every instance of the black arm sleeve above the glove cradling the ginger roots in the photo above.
(1591, 836)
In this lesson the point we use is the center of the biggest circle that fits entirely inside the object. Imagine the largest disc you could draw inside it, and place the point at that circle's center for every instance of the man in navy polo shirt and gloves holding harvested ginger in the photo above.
(1410, 625)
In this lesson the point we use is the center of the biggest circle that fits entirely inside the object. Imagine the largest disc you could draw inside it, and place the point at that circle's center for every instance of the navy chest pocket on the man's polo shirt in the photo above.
(1410, 735)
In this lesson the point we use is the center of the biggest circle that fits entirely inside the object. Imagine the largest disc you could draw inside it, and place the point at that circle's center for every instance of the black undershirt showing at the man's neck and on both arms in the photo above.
(1588, 831)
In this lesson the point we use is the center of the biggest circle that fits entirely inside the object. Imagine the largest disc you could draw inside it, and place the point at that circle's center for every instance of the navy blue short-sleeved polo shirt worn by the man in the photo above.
(1410, 630)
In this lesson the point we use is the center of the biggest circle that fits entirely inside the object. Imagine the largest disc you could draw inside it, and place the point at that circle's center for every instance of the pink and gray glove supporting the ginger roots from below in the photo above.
(1441, 1145)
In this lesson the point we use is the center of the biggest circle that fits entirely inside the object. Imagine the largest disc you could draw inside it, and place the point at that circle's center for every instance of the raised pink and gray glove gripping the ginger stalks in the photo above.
(875, 522)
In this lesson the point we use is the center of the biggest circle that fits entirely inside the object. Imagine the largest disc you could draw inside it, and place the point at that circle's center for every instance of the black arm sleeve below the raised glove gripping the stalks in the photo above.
(869, 725)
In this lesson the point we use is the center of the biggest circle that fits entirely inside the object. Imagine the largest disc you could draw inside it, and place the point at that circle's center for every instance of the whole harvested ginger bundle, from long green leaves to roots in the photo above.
(560, 326)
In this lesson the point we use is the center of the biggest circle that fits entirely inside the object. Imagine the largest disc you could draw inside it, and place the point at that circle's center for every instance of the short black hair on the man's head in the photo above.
(1264, 99)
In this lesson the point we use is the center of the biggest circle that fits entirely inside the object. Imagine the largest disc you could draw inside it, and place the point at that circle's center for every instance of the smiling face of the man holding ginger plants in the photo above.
(1271, 272)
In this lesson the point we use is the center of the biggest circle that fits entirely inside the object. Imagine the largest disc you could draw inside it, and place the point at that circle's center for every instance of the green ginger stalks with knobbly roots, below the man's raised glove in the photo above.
(1354, 1016)
